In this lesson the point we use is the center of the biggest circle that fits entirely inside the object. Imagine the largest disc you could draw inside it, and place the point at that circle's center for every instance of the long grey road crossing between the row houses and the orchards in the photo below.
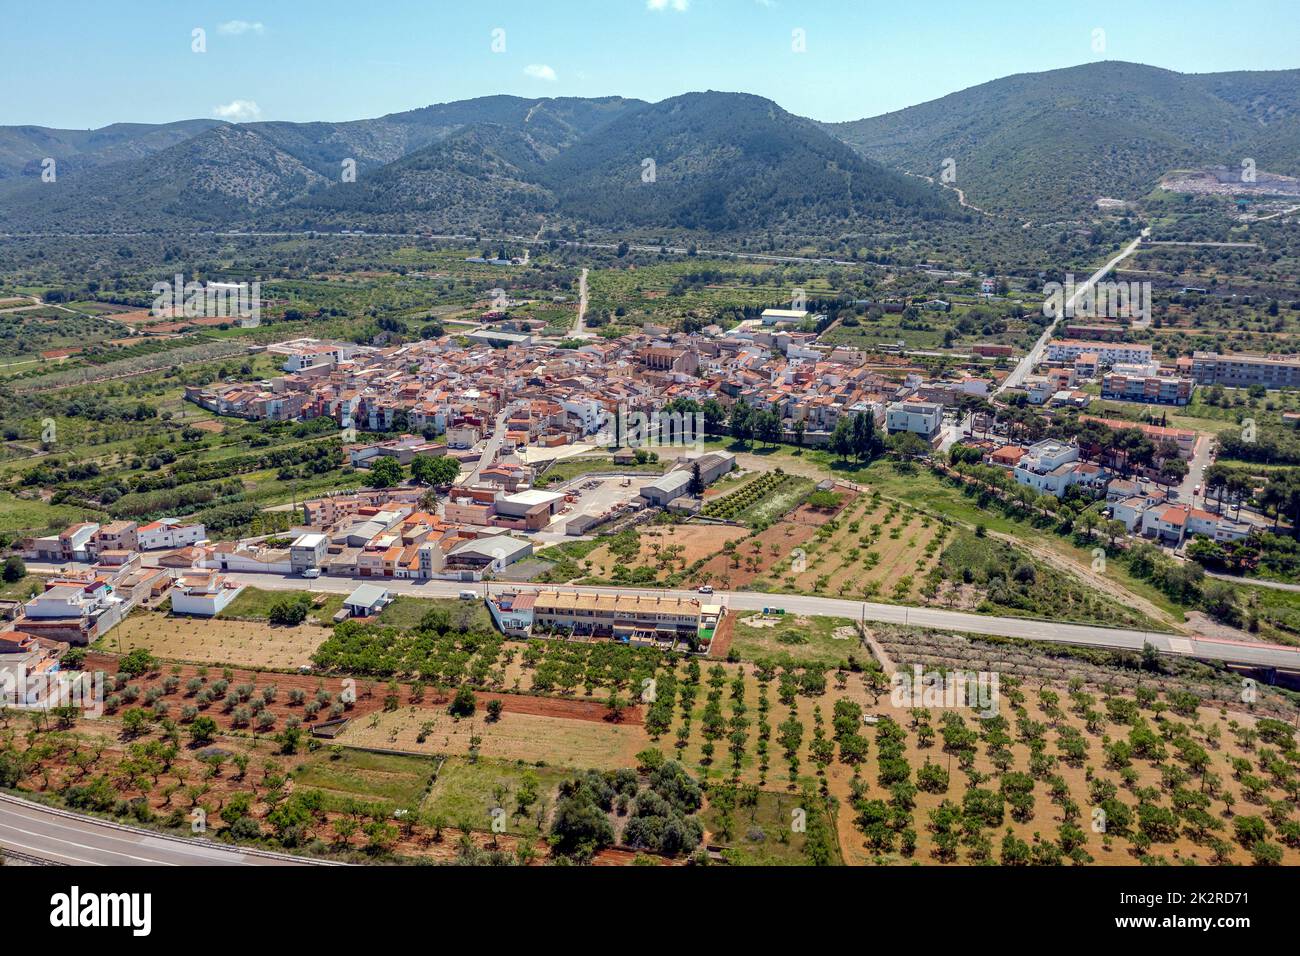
(1233, 652)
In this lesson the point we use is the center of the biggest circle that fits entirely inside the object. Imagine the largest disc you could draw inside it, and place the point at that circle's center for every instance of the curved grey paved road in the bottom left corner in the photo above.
(77, 841)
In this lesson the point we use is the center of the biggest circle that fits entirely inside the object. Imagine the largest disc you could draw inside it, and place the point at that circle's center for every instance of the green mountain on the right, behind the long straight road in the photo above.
(1052, 142)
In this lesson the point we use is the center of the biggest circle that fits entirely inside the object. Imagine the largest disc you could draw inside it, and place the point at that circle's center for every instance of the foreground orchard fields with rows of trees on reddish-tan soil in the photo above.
(1178, 777)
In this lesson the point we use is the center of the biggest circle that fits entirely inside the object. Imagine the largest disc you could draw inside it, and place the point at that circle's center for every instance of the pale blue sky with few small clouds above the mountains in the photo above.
(88, 63)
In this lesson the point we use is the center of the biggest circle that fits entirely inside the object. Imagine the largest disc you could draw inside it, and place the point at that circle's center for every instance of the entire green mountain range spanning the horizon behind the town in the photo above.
(1032, 145)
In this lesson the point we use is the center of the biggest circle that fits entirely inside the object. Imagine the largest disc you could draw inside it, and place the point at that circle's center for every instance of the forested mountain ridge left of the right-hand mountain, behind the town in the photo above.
(726, 162)
